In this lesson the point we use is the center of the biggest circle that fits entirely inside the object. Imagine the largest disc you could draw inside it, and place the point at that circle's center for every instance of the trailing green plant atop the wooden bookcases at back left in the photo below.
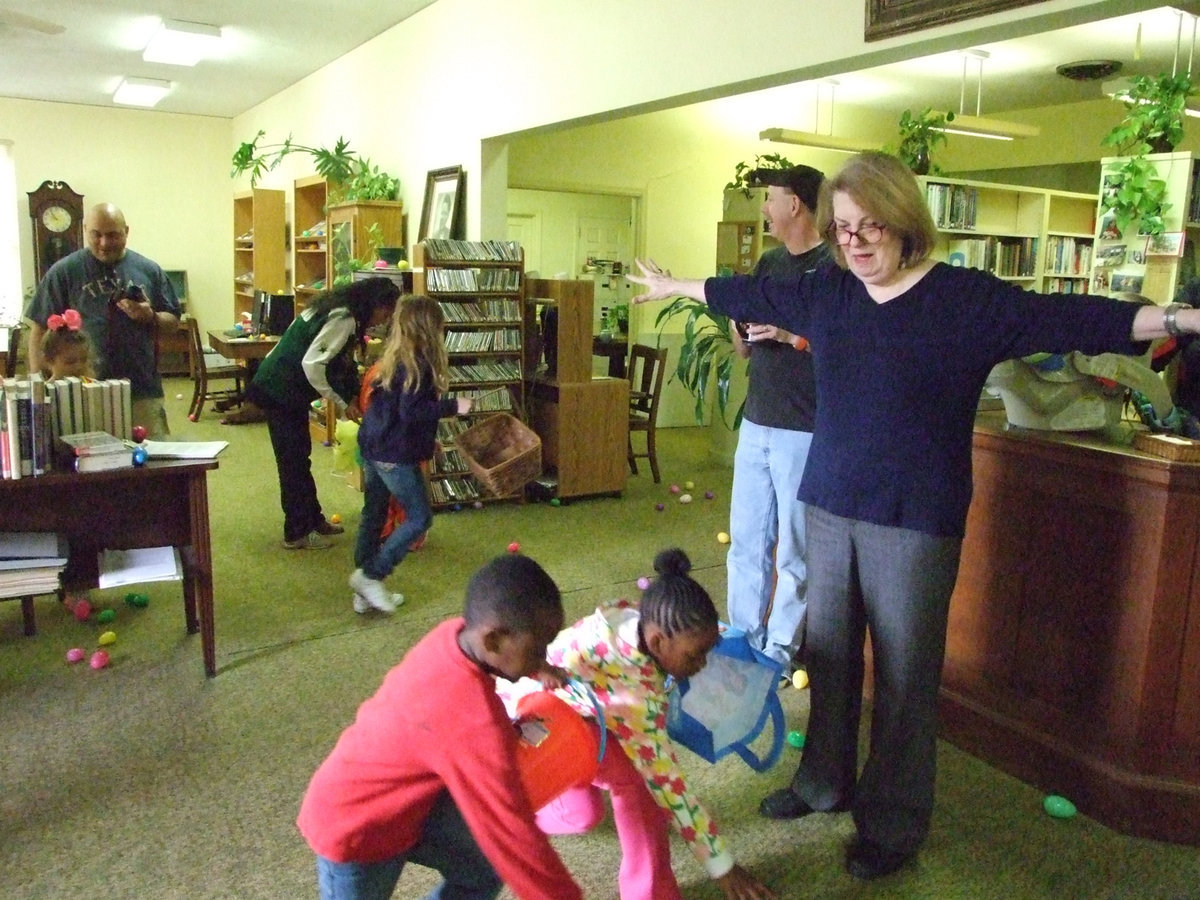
(351, 177)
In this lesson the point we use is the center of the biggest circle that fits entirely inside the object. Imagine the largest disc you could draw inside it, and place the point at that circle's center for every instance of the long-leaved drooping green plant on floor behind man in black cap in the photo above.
(707, 350)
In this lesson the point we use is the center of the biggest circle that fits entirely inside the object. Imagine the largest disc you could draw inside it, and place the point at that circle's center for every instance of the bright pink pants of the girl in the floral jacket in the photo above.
(643, 826)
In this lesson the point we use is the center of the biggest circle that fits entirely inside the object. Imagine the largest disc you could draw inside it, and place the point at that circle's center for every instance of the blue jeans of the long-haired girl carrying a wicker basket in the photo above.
(382, 481)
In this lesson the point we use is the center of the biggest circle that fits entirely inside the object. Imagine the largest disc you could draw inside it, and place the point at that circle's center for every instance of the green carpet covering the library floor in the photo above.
(148, 781)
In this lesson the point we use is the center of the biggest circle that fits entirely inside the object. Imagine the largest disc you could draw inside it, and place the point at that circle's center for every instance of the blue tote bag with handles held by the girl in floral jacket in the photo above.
(727, 706)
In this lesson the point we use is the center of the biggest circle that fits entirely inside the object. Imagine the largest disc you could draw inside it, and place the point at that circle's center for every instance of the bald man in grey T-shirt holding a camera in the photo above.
(124, 299)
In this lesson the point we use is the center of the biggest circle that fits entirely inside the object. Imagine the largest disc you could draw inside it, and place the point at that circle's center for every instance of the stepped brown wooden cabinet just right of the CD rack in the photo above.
(583, 422)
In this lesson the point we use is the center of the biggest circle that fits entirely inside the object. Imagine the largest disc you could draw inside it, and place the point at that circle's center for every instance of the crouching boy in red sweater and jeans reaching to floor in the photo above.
(428, 772)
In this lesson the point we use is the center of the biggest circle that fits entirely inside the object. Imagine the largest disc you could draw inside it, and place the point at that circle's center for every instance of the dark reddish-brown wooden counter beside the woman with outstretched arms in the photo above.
(1073, 652)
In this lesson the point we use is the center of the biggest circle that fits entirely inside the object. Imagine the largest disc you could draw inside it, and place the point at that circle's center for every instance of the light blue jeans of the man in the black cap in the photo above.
(767, 535)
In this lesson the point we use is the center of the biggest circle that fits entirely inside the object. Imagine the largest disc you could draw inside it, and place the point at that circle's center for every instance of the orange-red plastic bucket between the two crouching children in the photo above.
(557, 748)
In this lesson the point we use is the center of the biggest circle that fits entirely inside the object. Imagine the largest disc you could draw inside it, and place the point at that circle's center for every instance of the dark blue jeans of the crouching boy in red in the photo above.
(446, 847)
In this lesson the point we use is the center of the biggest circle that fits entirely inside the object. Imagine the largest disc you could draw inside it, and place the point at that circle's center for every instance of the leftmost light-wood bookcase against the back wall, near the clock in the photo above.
(260, 247)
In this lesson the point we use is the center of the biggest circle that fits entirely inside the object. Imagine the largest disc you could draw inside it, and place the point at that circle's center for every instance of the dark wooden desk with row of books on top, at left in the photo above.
(164, 503)
